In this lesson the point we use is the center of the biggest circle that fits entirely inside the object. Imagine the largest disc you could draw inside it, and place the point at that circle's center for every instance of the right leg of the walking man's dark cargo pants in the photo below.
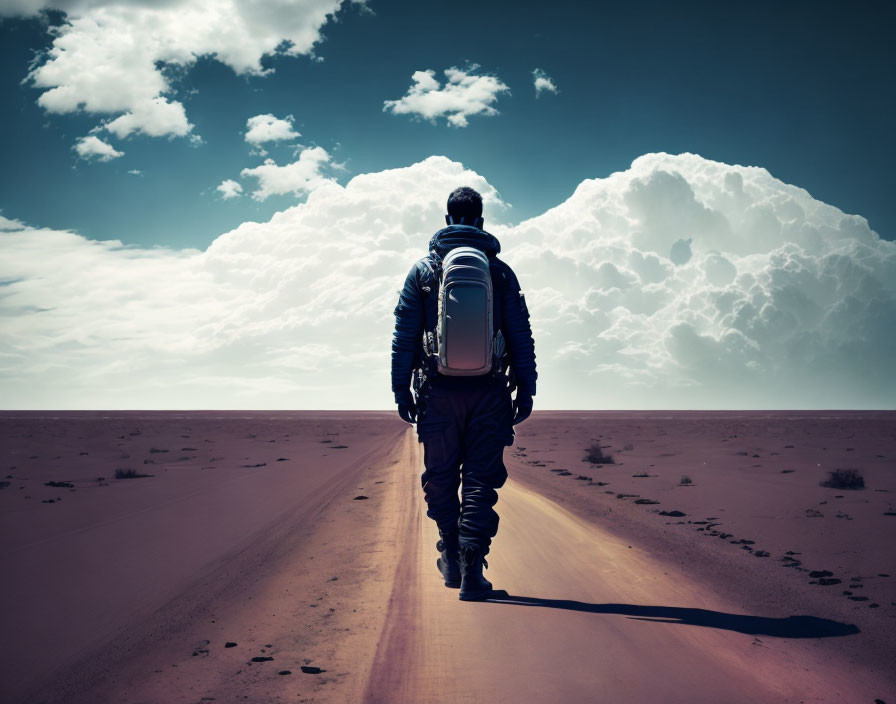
(489, 429)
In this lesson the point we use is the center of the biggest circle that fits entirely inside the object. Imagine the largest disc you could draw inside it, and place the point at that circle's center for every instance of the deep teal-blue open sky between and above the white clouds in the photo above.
(802, 89)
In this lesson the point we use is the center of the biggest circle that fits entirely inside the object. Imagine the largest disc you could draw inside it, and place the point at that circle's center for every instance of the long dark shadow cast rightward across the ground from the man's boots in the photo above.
(789, 627)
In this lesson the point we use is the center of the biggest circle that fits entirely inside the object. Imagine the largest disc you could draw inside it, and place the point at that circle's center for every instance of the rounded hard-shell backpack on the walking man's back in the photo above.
(465, 337)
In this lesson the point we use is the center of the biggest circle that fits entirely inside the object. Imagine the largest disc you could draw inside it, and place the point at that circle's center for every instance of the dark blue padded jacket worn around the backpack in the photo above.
(417, 308)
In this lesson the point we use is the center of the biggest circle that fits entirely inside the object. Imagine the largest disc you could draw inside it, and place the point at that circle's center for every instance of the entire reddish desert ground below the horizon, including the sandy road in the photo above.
(274, 556)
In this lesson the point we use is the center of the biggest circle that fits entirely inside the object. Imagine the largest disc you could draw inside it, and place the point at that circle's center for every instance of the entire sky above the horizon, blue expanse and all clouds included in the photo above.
(212, 203)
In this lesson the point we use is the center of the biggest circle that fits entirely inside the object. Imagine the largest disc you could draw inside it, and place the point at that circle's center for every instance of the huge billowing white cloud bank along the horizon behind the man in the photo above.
(783, 302)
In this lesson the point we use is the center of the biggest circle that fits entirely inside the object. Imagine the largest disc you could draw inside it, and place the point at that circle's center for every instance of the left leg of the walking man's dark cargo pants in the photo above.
(440, 431)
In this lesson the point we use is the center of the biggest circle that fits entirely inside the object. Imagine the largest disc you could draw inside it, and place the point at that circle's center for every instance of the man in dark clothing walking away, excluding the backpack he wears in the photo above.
(464, 422)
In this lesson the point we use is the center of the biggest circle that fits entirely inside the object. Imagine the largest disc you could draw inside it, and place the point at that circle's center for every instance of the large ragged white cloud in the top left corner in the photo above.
(106, 58)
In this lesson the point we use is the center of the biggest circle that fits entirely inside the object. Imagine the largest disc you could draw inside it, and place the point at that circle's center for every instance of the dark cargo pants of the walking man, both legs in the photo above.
(466, 423)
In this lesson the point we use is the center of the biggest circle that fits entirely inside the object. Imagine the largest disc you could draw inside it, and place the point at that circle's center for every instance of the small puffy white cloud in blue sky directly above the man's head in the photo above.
(463, 94)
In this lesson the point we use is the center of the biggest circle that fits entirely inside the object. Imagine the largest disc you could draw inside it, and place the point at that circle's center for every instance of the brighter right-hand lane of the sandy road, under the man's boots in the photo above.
(588, 618)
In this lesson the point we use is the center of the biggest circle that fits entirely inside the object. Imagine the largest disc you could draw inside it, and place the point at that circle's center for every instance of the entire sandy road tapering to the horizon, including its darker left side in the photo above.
(351, 586)
